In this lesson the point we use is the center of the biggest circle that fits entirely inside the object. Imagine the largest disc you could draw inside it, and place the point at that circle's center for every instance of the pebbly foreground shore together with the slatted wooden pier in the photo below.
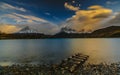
(74, 65)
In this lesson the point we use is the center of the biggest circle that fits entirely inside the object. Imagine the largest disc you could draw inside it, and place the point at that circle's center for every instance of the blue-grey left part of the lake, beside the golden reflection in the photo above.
(26, 51)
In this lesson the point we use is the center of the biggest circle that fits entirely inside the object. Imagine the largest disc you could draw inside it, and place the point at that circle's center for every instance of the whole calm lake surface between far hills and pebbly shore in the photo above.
(54, 50)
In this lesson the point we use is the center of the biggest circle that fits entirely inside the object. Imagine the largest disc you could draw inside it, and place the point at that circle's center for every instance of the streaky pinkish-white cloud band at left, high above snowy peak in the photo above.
(20, 18)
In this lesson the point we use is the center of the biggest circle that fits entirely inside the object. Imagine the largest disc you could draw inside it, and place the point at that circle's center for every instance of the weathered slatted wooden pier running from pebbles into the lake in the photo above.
(74, 62)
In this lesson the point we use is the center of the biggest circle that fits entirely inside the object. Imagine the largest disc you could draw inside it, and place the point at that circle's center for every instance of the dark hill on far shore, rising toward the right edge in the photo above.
(112, 31)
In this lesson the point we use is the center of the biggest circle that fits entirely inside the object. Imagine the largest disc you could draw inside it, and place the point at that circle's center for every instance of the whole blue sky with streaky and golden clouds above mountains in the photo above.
(76, 14)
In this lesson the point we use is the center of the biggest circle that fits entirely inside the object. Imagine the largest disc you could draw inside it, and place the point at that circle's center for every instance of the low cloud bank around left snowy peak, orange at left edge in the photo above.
(46, 28)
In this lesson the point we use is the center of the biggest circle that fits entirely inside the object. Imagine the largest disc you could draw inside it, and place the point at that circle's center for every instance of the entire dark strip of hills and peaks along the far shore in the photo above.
(108, 32)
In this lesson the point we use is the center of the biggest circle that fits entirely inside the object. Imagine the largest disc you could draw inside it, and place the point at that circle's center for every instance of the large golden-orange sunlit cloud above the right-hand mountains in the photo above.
(90, 19)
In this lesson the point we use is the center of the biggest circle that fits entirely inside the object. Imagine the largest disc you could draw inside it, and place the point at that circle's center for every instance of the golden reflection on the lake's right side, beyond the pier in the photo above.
(99, 50)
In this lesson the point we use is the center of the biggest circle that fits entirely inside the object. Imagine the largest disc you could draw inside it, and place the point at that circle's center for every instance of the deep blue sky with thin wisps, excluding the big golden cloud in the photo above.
(49, 10)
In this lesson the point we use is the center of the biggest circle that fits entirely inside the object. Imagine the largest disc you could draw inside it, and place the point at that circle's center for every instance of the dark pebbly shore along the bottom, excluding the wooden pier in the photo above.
(91, 69)
